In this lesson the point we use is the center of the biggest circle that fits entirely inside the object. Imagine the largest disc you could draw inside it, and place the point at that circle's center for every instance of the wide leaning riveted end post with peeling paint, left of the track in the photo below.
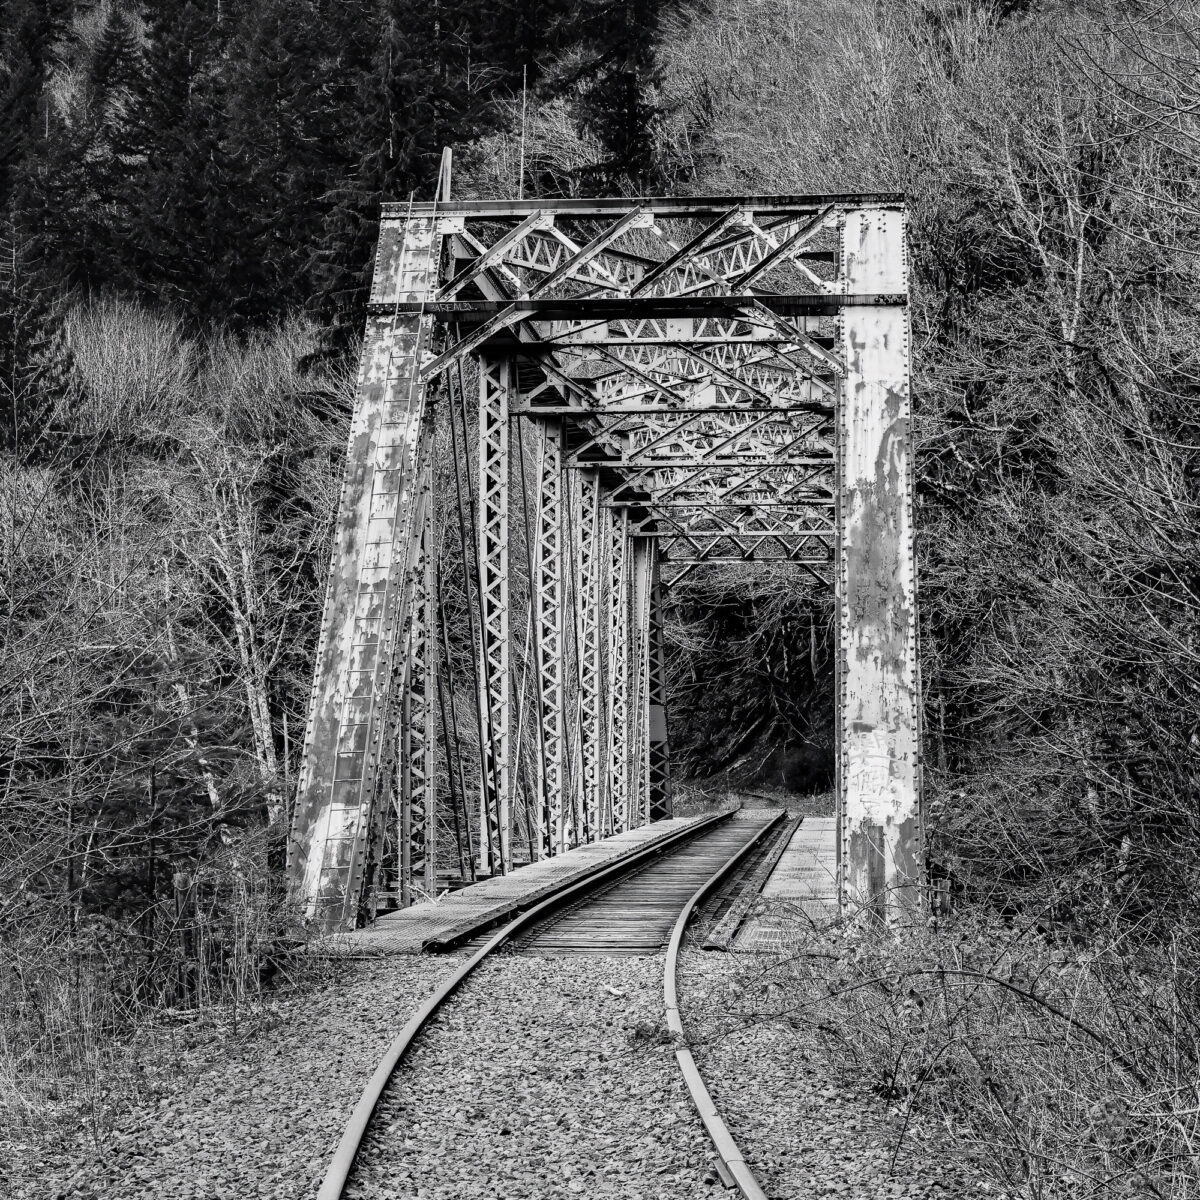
(345, 752)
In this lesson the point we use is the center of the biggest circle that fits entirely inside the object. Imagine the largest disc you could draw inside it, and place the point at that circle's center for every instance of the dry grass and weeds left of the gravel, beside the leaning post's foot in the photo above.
(77, 1009)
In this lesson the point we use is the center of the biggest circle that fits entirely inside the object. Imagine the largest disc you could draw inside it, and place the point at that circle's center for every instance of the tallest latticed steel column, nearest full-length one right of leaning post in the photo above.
(494, 598)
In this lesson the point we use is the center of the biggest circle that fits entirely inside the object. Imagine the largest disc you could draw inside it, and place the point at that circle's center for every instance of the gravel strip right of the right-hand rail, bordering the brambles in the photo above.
(803, 1132)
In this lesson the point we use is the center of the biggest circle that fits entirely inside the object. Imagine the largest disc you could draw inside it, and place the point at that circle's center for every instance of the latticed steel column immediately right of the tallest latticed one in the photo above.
(550, 616)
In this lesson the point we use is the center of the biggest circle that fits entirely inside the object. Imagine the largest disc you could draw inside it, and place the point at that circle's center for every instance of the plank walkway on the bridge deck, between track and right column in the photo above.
(802, 889)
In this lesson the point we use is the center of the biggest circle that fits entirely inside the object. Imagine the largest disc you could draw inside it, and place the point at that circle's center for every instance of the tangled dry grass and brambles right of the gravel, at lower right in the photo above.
(1065, 1071)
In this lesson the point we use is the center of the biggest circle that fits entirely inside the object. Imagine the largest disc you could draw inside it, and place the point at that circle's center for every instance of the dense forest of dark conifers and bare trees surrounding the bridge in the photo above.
(188, 205)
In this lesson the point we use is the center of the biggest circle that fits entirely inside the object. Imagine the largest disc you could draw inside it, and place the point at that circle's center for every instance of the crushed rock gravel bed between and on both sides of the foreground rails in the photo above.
(544, 1078)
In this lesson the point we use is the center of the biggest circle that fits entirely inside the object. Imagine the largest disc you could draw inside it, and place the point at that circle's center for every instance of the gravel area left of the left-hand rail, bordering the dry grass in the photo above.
(224, 1117)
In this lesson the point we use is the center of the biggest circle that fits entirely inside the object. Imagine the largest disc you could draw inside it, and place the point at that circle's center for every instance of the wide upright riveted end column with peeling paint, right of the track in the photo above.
(879, 739)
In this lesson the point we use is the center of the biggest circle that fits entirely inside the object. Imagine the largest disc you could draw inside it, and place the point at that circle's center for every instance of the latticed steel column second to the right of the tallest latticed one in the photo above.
(589, 615)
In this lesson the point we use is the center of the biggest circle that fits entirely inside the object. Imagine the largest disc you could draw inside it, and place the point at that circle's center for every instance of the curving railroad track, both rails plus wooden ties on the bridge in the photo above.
(637, 908)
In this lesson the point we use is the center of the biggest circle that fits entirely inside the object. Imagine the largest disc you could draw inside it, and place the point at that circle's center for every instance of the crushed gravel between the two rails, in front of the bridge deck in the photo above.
(543, 1078)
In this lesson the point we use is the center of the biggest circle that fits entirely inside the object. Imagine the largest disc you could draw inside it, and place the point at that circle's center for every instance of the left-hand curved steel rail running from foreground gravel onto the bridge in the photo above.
(339, 1173)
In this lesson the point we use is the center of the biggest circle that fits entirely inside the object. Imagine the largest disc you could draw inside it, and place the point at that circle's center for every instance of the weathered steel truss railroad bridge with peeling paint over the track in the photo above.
(711, 381)
